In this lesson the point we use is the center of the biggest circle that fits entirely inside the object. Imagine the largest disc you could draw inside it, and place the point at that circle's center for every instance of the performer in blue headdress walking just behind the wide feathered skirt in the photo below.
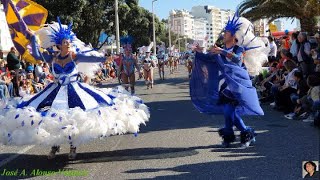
(128, 65)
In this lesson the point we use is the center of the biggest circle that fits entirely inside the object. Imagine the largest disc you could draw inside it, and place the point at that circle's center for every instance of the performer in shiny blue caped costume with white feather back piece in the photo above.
(220, 82)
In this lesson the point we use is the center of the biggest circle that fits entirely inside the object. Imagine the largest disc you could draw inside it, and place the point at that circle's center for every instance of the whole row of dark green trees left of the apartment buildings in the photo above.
(89, 17)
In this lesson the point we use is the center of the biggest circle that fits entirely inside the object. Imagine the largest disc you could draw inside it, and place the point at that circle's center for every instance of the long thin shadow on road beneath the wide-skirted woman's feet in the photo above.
(40, 162)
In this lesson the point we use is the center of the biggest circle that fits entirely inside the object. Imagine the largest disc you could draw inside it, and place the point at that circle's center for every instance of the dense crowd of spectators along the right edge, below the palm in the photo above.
(292, 83)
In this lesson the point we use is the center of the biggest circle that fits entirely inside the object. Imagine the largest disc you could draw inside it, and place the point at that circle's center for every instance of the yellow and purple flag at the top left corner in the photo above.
(22, 15)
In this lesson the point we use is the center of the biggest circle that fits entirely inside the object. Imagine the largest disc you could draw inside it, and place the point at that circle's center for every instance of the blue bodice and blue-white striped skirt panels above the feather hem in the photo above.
(67, 92)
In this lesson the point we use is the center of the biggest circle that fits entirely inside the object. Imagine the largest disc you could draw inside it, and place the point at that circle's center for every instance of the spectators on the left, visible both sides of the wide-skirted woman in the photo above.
(19, 78)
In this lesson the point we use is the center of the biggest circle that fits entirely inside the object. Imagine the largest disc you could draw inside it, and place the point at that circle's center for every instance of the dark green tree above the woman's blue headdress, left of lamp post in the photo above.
(88, 16)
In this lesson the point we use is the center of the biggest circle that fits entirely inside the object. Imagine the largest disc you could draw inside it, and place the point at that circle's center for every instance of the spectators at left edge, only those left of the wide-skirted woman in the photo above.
(18, 78)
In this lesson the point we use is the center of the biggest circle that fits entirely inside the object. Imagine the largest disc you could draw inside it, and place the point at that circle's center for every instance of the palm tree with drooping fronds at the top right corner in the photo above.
(304, 10)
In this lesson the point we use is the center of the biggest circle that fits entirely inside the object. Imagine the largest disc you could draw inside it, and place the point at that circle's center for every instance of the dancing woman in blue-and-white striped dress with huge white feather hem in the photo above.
(67, 111)
